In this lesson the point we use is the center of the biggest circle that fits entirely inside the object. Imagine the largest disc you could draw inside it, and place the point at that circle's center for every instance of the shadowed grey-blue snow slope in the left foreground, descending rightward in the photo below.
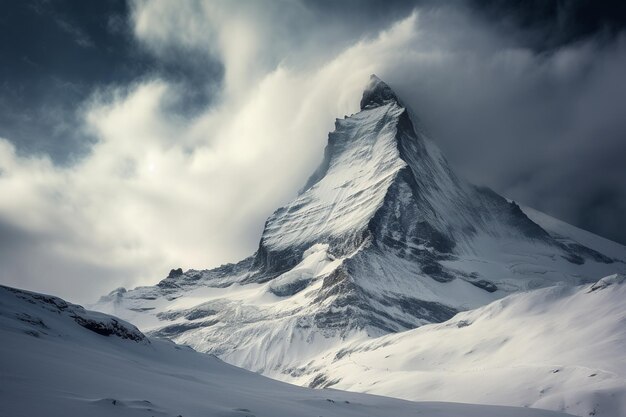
(56, 359)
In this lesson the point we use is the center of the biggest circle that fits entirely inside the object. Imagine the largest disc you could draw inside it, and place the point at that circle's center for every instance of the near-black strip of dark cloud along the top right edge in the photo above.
(539, 24)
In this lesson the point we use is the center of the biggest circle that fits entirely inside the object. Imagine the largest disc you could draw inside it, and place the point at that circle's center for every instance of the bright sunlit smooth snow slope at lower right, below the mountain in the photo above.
(560, 348)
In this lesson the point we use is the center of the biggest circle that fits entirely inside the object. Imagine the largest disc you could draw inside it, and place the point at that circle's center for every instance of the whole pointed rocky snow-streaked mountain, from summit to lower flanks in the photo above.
(384, 237)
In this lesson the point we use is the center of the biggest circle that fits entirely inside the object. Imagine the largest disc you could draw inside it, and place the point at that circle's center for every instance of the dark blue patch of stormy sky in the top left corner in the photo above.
(54, 55)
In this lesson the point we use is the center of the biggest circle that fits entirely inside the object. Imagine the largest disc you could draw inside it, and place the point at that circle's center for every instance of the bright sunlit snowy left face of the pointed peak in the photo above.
(361, 162)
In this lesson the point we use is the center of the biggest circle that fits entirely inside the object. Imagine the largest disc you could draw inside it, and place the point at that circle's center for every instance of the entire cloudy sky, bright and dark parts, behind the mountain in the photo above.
(141, 136)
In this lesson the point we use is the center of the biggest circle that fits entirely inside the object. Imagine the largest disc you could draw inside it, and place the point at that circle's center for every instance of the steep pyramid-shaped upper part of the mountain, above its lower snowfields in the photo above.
(384, 183)
